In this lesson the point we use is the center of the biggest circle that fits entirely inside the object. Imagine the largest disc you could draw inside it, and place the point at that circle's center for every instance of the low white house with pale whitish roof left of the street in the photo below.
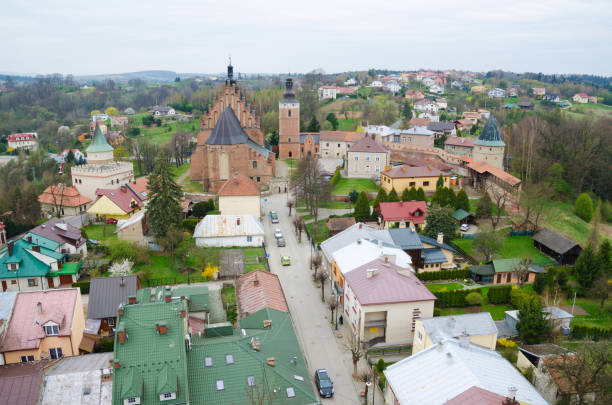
(229, 230)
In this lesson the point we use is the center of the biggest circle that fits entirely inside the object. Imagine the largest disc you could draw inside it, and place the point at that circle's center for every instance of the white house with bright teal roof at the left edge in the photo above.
(32, 263)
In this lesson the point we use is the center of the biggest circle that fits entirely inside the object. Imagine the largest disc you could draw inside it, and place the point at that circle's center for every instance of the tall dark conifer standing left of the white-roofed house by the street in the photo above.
(164, 209)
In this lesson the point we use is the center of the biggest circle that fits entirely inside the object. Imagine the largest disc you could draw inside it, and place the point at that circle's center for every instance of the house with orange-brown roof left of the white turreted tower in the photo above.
(63, 200)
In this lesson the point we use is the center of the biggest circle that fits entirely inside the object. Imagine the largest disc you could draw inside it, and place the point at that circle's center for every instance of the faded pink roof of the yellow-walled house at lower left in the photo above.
(25, 329)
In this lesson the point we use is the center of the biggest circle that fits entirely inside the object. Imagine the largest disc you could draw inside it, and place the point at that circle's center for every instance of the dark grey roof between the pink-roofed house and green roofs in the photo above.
(107, 293)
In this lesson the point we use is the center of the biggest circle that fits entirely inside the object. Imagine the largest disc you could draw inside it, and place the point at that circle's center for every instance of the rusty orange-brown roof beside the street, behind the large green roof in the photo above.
(258, 290)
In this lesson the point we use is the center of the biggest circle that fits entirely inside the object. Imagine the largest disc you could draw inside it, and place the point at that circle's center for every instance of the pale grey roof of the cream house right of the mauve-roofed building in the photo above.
(444, 327)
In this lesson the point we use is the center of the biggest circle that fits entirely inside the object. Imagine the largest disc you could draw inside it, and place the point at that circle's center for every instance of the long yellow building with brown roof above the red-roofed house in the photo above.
(401, 177)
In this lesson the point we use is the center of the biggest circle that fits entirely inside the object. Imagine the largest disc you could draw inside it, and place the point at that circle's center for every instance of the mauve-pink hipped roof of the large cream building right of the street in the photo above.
(389, 285)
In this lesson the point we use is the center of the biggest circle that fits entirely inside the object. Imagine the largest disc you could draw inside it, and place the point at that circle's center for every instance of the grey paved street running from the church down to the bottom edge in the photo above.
(322, 349)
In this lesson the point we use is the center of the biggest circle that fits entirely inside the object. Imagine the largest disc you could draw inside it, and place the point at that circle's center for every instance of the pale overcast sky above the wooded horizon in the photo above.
(114, 36)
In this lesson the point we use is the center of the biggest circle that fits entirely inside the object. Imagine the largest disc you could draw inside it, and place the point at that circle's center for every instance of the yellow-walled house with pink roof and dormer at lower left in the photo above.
(44, 325)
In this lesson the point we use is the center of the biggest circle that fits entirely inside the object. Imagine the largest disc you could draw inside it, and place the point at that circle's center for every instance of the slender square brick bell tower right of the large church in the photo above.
(289, 123)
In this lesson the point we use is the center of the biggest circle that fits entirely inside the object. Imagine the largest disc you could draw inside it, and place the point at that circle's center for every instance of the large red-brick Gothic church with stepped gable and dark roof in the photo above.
(231, 140)
